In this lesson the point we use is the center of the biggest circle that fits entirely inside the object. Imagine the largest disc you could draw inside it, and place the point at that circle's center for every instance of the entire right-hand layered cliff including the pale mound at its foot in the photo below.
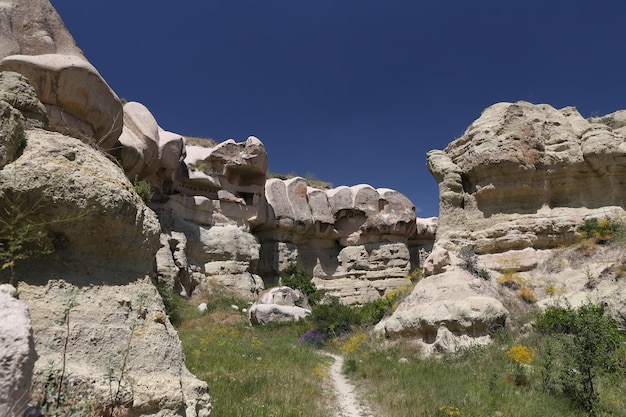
(515, 189)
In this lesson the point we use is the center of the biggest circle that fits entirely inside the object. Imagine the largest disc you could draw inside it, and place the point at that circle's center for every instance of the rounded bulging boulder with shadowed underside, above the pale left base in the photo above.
(94, 217)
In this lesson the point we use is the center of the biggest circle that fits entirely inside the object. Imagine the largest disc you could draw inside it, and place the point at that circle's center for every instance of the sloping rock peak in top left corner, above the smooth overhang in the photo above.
(33, 27)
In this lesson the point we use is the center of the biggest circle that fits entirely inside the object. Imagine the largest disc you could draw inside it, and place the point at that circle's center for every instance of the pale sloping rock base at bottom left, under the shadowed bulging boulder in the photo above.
(119, 330)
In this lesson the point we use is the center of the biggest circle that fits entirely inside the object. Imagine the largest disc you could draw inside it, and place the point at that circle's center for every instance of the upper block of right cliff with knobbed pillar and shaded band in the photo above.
(524, 175)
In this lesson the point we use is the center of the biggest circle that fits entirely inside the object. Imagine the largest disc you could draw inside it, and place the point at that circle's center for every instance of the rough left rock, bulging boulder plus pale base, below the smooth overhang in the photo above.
(104, 239)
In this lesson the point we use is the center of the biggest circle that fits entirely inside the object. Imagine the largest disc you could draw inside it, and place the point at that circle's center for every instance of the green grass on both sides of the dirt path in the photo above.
(263, 371)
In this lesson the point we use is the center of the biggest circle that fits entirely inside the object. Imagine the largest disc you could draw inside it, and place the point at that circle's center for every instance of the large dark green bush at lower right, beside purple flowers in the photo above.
(580, 345)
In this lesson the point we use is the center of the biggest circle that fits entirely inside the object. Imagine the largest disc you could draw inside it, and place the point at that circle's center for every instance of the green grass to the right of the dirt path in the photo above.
(480, 382)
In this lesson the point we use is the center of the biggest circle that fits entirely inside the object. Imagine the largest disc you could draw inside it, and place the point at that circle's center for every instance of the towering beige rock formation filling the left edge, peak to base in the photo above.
(58, 117)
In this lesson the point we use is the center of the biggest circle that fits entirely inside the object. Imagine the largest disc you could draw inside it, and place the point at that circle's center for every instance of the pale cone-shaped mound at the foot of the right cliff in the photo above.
(447, 312)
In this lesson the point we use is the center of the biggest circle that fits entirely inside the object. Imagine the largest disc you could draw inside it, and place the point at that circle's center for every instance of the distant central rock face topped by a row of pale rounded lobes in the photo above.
(357, 242)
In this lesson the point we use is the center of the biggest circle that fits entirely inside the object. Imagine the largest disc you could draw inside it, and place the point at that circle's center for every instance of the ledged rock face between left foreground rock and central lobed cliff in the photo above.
(216, 197)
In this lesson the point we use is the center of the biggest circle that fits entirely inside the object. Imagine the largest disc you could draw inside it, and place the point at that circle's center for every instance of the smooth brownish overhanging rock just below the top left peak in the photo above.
(79, 102)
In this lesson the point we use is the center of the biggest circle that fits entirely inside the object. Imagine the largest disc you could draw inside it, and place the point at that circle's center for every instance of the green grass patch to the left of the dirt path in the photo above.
(254, 371)
